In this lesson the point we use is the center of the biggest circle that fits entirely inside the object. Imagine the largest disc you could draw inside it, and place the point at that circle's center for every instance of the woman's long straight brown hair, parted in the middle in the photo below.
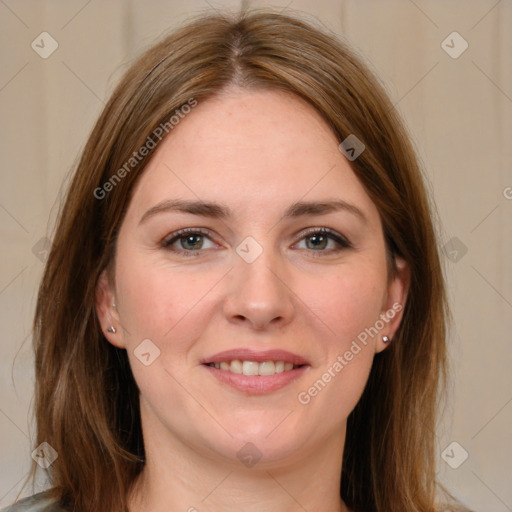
(87, 402)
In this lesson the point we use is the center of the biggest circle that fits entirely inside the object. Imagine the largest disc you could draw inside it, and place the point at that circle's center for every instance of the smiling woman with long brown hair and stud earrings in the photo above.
(243, 307)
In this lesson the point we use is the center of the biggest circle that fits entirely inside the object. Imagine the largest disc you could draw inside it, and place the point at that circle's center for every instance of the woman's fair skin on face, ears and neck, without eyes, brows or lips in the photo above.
(256, 152)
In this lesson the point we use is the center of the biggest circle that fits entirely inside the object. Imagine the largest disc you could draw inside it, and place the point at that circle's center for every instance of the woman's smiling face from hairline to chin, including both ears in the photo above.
(253, 274)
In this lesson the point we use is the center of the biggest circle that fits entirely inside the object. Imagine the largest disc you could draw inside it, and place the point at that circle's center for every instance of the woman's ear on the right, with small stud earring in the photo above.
(394, 303)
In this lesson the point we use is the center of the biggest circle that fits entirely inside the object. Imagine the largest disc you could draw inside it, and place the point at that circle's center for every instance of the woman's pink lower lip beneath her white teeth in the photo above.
(257, 384)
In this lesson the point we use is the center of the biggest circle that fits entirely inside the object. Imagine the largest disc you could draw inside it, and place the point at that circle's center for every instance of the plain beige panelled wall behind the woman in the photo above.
(459, 113)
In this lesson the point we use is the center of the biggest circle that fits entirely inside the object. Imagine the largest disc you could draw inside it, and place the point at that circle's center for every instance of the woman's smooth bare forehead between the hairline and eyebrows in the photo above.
(254, 150)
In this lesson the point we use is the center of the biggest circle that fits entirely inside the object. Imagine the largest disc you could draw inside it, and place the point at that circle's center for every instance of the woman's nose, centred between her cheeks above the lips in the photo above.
(259, 293)
